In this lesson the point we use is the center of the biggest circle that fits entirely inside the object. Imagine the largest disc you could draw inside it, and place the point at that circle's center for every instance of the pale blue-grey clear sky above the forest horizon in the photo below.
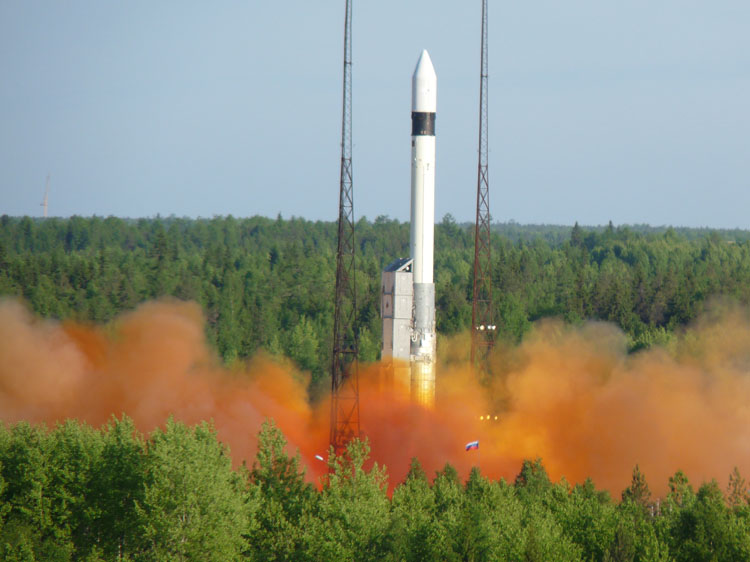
(631, 112)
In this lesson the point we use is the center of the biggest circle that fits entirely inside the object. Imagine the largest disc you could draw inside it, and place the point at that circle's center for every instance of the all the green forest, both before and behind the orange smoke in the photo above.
(73, 492)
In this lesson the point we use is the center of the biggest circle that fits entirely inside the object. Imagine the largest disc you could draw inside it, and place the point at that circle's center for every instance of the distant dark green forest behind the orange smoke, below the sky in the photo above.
(268, 283)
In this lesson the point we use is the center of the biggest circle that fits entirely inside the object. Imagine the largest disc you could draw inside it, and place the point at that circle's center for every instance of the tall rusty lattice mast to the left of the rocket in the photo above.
(344, 367)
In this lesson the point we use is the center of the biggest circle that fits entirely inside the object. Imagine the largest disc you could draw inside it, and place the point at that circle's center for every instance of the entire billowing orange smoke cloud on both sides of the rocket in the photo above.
(572, 396)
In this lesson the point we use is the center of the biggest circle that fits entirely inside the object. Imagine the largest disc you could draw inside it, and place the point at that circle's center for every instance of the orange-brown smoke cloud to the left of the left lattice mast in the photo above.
(151, 364)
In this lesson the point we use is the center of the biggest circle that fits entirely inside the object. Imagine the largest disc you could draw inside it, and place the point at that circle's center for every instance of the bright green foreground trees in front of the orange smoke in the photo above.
(78, 493)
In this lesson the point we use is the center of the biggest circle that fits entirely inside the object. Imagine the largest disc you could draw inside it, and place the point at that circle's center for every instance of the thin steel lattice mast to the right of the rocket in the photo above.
(483, 328)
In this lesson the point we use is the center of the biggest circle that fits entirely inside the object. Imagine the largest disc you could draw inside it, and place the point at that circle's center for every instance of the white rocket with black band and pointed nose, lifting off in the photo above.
(423, 340)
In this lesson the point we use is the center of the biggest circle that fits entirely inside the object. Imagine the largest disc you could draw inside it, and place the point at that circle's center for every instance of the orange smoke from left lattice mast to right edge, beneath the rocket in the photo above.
(577, 399)
